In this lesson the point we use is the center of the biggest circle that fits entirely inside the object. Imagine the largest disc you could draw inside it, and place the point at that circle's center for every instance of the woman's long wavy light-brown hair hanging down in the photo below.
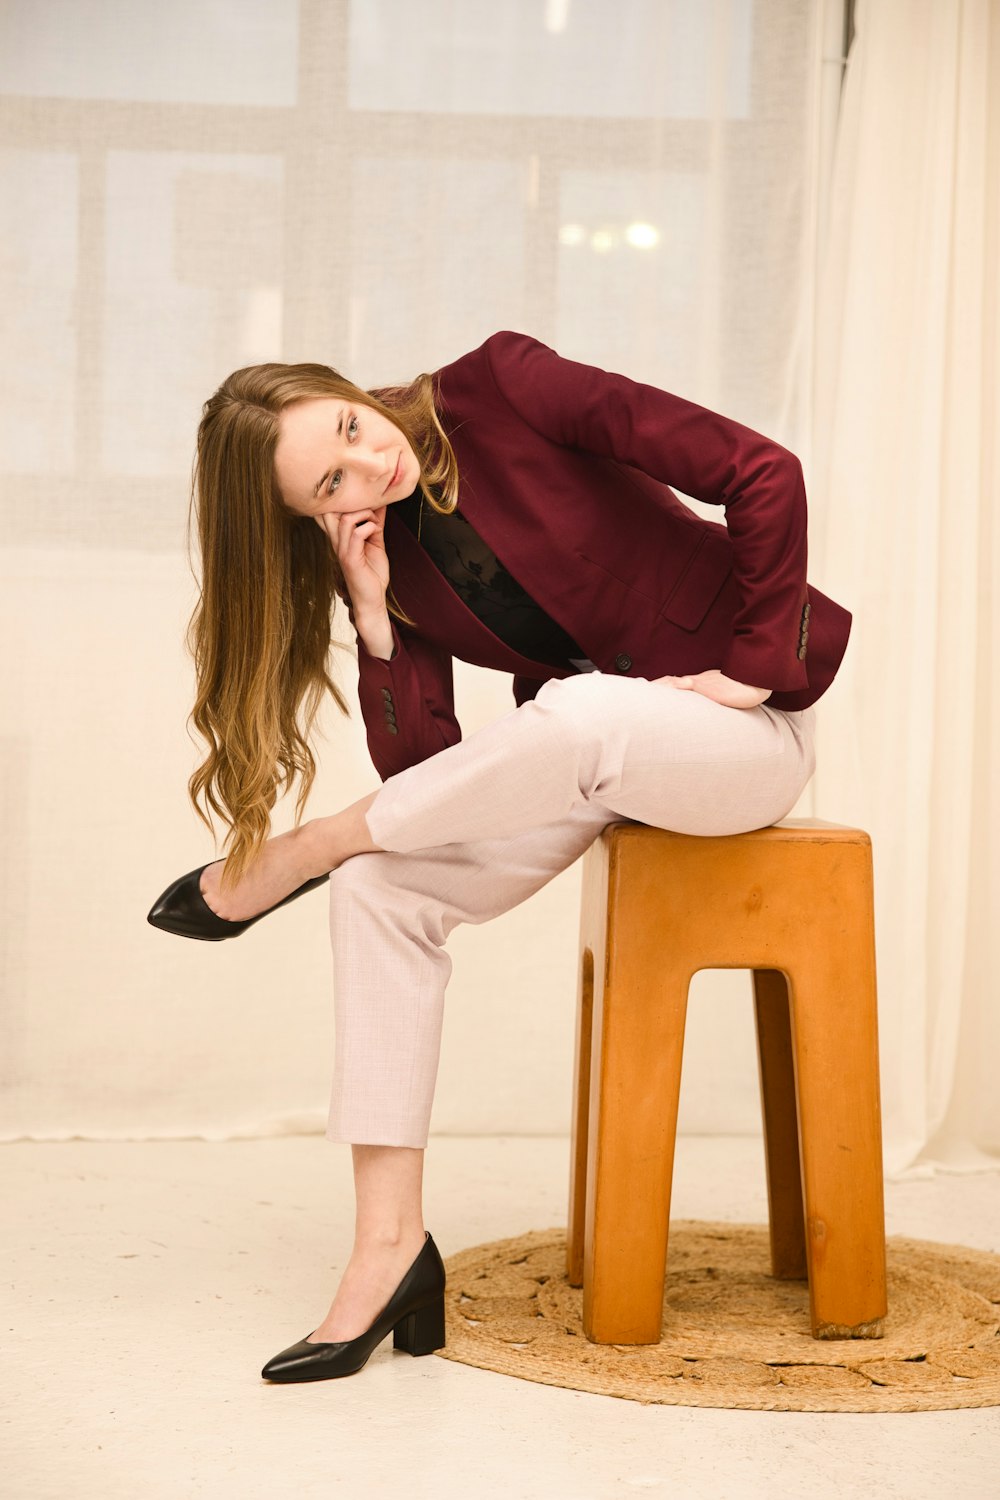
(262, 631)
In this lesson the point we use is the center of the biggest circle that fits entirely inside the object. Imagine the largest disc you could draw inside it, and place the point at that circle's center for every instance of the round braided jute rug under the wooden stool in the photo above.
(734, 1337)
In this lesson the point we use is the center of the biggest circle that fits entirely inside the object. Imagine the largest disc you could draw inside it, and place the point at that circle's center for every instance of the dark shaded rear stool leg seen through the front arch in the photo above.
(782, 1127)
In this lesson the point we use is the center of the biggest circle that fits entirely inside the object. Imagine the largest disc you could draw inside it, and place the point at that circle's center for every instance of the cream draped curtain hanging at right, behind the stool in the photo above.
(905, 479)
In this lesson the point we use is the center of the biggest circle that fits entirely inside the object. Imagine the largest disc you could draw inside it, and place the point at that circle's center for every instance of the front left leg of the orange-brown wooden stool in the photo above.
(639, 1018)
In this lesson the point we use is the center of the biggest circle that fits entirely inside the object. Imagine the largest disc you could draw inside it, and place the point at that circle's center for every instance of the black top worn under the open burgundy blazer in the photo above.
(485, 586)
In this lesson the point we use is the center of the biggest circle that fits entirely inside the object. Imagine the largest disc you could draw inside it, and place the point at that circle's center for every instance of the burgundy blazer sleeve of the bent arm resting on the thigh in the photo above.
(704, 455)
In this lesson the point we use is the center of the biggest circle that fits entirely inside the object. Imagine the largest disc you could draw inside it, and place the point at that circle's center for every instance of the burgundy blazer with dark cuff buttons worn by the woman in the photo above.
(564, 472)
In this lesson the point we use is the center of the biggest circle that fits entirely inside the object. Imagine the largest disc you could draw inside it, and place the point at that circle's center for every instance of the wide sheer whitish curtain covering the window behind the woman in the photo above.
(200, 185)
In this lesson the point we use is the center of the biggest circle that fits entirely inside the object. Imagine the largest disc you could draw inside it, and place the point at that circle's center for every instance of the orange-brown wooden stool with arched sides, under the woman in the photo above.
(795, 905)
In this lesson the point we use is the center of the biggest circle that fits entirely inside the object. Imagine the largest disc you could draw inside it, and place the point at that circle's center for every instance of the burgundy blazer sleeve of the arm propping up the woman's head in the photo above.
(407, 703)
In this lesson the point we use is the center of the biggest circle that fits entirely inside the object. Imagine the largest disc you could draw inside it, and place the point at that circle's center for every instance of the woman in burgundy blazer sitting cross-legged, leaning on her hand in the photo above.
(662, 664)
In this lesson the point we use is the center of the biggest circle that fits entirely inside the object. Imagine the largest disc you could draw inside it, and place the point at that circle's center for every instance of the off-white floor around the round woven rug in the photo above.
(151, 1282)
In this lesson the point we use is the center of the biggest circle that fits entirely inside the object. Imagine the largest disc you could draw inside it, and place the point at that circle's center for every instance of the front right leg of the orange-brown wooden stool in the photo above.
(834, 1030)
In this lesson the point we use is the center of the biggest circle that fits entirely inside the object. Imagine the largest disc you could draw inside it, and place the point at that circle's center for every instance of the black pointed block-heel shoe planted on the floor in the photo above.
(415, 1313)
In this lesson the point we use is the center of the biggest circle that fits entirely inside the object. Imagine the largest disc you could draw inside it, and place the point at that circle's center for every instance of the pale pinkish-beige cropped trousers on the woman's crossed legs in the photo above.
(485, 824)
